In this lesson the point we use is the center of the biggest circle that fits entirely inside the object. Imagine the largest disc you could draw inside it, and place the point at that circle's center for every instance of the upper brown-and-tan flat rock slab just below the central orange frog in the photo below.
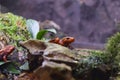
(40, 51)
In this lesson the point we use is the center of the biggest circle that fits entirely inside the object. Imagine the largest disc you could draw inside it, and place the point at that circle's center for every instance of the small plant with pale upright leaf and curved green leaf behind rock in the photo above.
(36, 32)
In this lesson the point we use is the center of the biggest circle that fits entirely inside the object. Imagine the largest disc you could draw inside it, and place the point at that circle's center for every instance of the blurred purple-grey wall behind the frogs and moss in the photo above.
(91, 22)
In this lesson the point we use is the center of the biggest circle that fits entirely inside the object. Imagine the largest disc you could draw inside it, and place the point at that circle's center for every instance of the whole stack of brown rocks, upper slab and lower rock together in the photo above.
(51, 64)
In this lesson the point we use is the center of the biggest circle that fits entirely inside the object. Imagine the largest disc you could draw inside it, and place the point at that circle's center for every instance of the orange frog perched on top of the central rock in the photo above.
(65, 41)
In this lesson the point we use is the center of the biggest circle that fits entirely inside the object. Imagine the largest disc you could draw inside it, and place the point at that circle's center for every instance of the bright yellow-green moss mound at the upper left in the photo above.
(14, 27)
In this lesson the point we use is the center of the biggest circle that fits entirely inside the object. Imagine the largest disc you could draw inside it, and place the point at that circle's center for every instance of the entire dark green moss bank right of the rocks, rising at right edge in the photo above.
(110, 57)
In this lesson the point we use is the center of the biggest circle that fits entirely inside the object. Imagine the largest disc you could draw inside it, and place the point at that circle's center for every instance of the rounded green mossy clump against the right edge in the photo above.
(113, 50)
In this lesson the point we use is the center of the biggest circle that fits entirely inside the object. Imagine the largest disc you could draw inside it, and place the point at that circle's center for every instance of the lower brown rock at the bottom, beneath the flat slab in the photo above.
(53, 71)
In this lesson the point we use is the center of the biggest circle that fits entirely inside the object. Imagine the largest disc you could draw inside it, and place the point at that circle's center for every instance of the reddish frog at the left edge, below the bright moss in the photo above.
(4, 52)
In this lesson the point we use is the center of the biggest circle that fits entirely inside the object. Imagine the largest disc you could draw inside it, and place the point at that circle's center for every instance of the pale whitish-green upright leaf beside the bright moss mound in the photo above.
(33, 27)
